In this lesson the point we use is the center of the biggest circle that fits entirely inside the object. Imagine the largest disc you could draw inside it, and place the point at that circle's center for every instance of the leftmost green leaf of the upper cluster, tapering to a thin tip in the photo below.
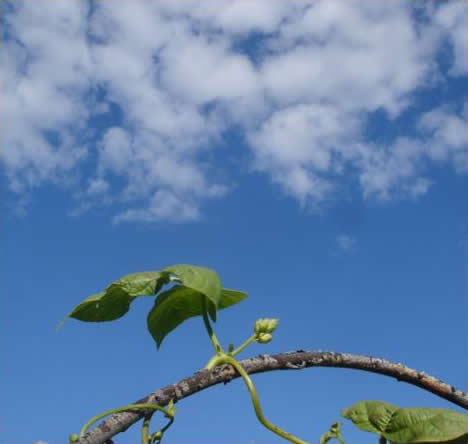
(114, 301)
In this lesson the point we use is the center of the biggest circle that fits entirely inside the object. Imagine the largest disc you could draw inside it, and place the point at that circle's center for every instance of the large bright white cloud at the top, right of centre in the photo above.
(337, 52)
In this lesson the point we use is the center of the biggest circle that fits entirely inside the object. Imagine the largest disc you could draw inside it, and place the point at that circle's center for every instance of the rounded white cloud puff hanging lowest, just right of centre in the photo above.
(298, 144)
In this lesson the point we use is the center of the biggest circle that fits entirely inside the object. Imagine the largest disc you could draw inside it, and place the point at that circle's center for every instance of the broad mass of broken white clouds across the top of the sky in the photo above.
(298, 79)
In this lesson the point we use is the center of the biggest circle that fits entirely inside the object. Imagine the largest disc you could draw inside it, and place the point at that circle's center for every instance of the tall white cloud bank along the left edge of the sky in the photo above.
(40, 101)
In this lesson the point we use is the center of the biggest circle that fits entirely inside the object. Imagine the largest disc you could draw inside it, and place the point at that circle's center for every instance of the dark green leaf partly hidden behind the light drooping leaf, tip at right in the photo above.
(174, 306)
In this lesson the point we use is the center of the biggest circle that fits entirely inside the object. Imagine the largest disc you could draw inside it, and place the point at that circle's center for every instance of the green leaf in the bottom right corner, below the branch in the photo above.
(409, 425)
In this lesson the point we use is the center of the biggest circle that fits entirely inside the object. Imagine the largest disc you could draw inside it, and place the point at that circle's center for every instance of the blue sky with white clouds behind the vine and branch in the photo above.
(313, 153)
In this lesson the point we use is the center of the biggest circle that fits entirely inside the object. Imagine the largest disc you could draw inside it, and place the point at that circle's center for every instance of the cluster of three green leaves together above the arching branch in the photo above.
(171, 307)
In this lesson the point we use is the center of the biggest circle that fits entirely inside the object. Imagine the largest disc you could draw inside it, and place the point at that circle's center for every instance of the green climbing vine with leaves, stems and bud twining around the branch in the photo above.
(184, 291)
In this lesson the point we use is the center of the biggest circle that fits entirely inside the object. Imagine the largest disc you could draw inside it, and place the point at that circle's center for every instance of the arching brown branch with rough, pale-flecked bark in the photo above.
(295, 360)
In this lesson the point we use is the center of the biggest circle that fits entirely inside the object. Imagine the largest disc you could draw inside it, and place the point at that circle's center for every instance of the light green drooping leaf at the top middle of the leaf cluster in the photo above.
(203, 280)
